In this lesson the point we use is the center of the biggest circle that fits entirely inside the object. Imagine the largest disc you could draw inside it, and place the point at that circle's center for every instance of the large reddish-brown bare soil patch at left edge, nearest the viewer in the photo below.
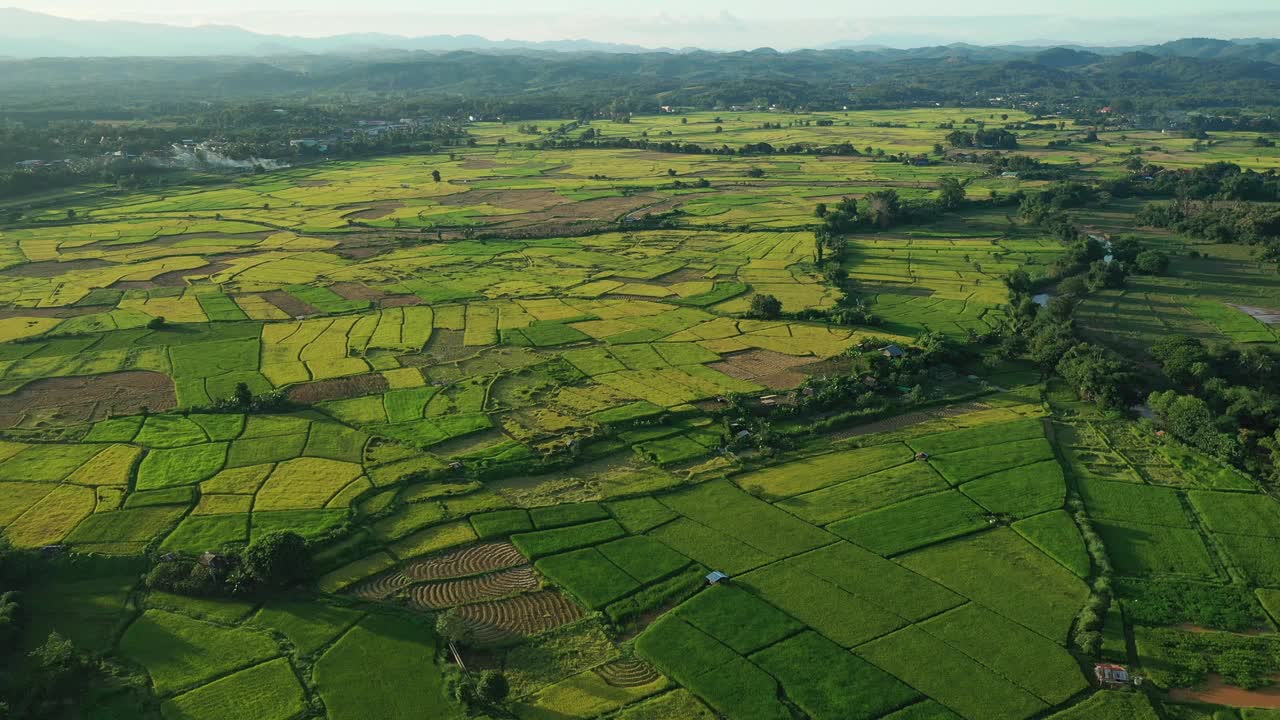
(88, 398)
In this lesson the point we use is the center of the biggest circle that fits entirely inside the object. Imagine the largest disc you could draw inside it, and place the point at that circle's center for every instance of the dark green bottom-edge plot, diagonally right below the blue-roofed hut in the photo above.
(830, 683)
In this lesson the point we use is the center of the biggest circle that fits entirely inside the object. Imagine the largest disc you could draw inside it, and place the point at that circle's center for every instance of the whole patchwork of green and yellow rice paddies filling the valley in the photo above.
(499, 403)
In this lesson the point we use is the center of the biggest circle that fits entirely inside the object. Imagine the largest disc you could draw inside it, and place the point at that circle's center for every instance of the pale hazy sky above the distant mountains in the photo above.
(712, 24)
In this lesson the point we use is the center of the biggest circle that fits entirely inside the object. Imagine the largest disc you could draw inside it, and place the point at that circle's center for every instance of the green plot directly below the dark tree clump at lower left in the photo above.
(180, 653)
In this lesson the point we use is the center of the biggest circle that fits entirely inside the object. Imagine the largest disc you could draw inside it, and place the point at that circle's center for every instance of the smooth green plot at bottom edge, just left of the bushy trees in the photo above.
(383, 668)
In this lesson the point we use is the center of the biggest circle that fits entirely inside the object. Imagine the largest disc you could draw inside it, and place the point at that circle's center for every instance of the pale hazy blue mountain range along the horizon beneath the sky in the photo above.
(26, 35)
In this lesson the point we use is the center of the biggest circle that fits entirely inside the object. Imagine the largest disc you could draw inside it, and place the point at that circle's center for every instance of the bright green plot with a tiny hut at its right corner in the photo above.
(913, 523)
